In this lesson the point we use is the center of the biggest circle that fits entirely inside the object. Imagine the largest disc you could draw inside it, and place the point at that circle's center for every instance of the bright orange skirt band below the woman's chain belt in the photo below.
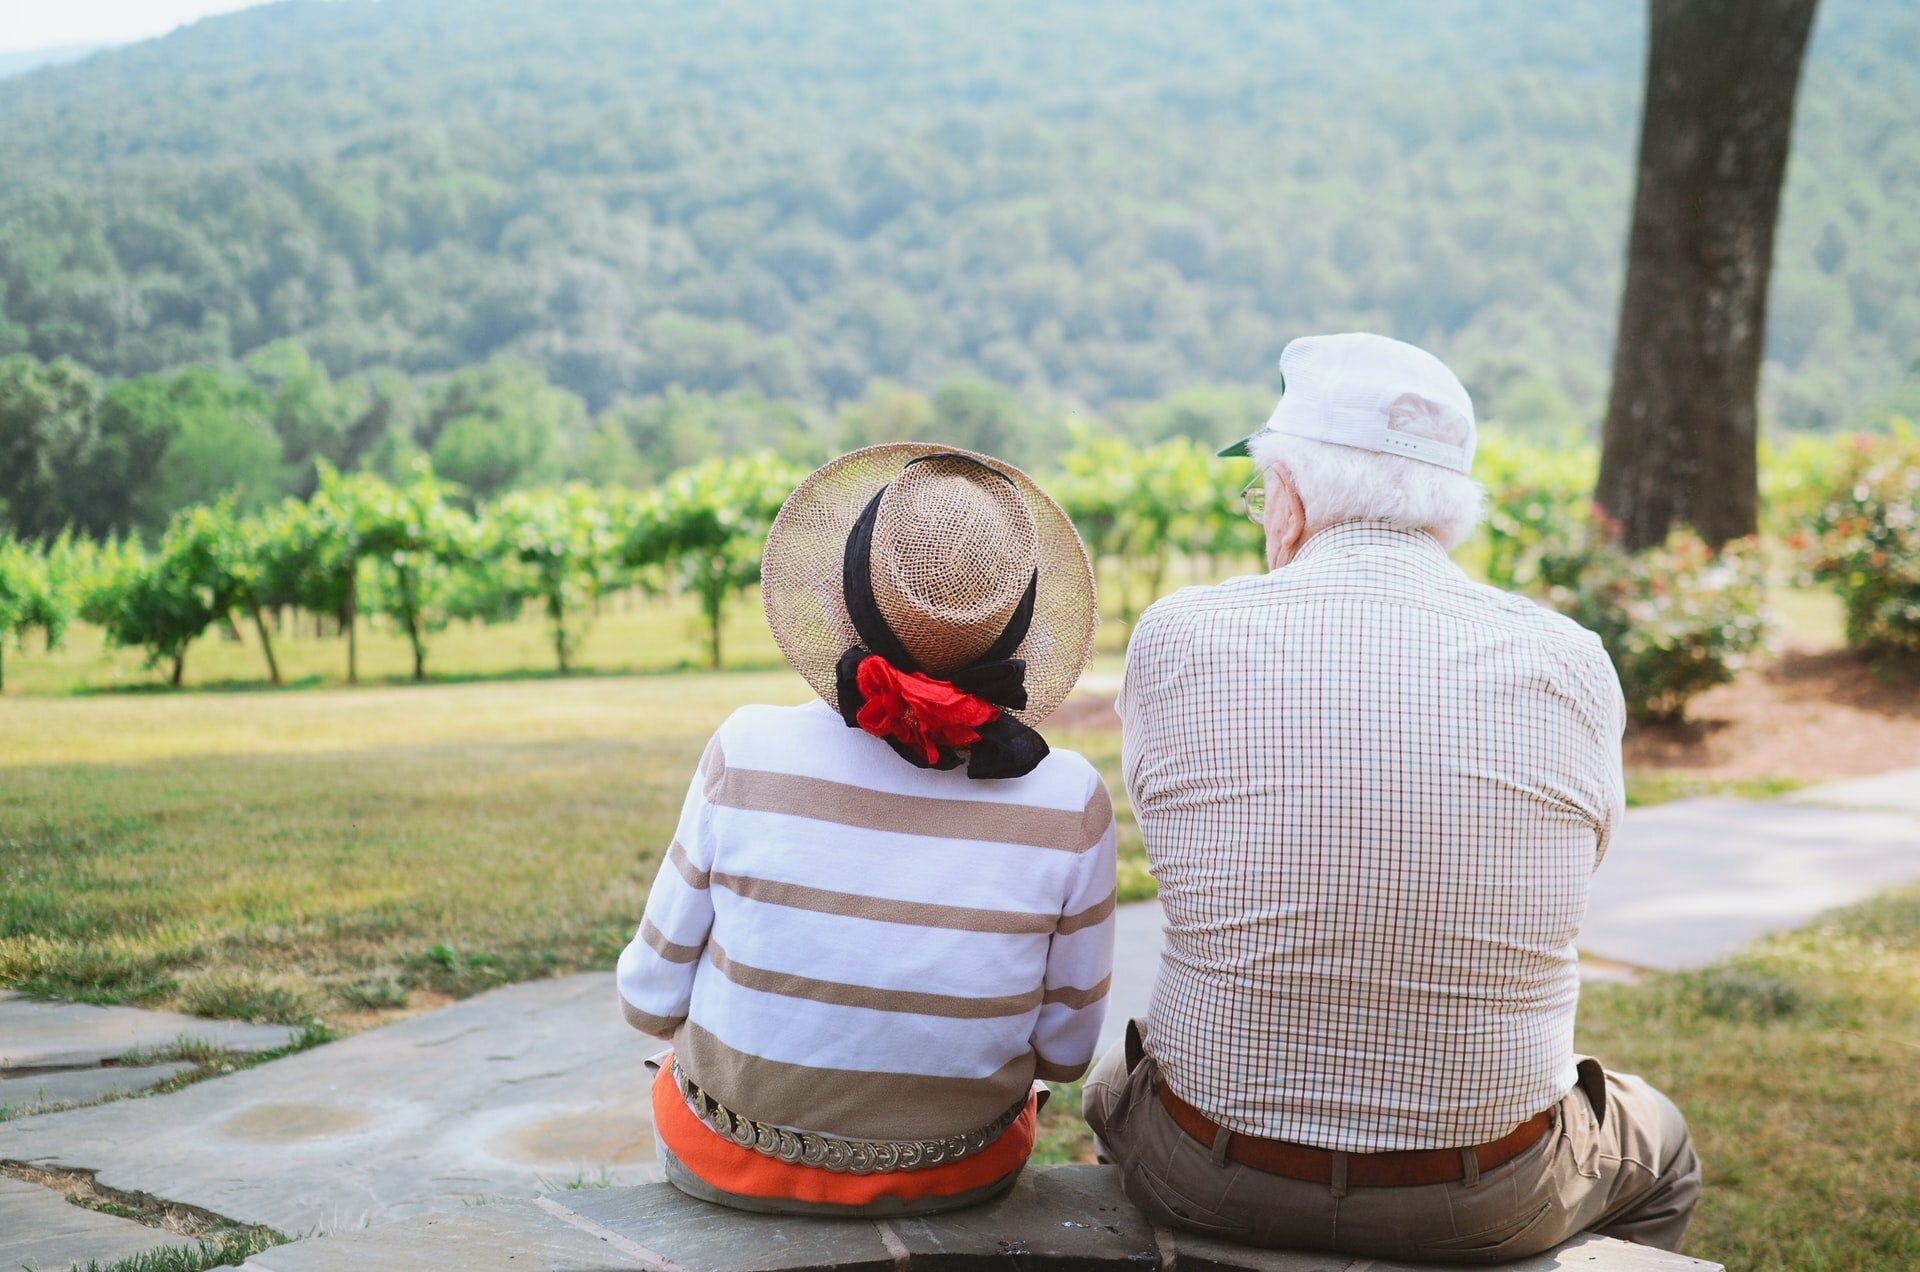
(729, 1167)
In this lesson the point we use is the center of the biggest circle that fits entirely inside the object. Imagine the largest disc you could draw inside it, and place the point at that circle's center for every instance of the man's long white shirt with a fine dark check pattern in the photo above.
(1374, 795)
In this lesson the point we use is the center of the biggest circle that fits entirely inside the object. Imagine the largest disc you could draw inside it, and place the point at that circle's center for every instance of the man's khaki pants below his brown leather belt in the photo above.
(1616, 1162)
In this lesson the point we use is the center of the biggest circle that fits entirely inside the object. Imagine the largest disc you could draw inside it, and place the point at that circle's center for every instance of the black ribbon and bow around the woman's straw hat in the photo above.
(1005, 748)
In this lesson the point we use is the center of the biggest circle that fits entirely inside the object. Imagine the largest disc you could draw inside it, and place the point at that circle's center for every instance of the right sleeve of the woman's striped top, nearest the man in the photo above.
(1080, 962)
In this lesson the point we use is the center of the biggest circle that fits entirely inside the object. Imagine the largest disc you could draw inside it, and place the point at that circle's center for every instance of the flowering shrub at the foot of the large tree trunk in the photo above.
(1677, 620)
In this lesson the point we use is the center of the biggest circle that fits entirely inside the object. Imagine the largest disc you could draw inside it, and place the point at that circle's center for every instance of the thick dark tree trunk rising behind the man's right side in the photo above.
(1681, 437)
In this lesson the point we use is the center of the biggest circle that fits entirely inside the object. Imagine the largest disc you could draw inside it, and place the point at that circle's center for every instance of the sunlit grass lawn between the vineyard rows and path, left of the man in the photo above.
(295, 856)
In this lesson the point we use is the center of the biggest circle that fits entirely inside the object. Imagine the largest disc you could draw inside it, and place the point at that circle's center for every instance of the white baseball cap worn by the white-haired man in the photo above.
(1349, 389)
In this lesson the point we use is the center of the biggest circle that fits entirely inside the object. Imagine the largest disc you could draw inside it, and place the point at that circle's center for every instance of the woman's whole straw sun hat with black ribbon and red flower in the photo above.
(936, 599)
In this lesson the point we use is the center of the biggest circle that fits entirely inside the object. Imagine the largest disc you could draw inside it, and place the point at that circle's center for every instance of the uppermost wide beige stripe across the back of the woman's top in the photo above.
(761, 791)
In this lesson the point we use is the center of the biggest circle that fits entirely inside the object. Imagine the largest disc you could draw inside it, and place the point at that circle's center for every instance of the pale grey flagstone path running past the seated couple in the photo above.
(537, 1089)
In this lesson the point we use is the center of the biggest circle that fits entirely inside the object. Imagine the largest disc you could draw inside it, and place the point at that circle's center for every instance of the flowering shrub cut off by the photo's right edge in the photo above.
(1867, 541)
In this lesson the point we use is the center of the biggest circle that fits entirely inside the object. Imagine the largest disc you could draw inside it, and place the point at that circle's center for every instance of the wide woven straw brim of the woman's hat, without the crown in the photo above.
(802, 575)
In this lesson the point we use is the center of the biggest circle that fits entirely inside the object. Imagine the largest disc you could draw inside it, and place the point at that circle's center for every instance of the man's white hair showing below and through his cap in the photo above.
(1345, 483)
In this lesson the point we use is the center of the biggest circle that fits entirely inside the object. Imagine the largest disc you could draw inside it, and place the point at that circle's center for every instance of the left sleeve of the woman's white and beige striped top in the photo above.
(656, 971)
